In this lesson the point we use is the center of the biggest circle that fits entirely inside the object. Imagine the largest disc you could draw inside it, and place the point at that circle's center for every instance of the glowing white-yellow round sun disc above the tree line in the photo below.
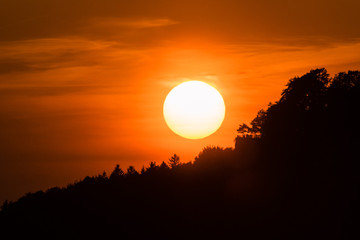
(194, 110)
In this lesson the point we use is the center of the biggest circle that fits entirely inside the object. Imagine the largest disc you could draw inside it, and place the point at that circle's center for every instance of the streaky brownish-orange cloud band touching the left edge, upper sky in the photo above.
(46, 54)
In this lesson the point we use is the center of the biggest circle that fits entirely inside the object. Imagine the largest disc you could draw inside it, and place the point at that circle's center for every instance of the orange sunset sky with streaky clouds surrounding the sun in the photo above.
(82, 82)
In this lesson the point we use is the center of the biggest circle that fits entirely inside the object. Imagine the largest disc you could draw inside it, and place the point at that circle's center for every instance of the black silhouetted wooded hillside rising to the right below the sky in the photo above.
(293, 174)
